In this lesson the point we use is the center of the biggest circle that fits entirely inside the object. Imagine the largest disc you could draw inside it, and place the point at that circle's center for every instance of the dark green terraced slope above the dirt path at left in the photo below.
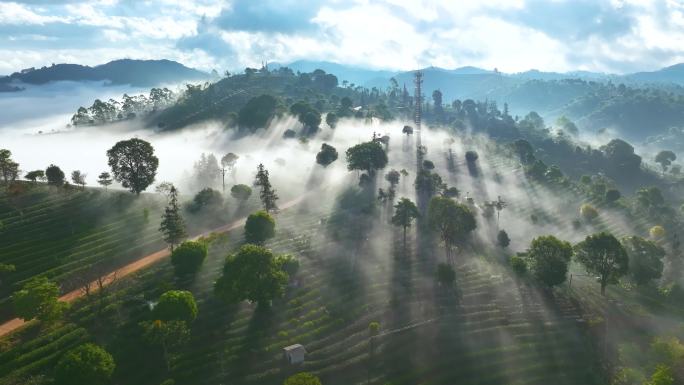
(63, 234)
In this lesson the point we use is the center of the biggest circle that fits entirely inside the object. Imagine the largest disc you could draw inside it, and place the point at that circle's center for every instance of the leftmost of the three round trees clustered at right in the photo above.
(549, 257)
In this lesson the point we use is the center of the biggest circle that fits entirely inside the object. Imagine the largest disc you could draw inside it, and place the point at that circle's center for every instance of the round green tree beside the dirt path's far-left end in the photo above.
(38, 298)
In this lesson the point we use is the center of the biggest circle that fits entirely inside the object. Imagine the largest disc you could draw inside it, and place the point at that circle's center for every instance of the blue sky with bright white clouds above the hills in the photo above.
(511, 35)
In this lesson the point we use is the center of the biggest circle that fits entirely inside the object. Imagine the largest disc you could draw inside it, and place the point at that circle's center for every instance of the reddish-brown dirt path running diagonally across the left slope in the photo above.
(137, 265)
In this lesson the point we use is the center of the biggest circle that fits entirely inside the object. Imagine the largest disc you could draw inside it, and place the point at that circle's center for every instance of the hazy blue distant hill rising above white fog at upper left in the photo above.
(139, 73)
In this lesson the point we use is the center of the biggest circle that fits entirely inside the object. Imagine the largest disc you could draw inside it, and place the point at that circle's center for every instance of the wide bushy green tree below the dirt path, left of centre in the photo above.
(251, 274)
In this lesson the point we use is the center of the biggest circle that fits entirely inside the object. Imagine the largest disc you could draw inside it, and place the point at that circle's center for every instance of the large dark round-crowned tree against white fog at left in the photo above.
(133, 164)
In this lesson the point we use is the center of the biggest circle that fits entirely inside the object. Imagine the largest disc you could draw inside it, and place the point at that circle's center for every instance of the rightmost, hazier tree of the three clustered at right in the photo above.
(645, 259)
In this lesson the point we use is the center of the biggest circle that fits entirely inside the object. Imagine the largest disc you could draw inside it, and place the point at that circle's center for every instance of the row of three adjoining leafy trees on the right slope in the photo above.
(603, 256)
